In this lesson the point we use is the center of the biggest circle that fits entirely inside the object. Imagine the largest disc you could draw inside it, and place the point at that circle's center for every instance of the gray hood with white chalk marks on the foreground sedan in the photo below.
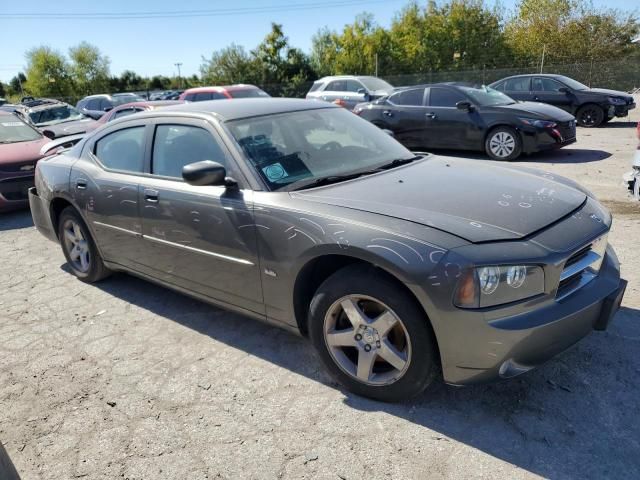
(476, 201)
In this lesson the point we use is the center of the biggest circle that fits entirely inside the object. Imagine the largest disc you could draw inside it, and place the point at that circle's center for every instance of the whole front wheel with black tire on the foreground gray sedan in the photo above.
(390, 326)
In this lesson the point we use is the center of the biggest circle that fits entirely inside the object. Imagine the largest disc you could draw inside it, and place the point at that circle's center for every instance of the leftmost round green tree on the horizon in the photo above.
(47, 73)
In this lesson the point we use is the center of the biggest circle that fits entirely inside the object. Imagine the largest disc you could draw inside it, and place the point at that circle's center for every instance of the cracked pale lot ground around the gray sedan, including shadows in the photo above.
(125, 379)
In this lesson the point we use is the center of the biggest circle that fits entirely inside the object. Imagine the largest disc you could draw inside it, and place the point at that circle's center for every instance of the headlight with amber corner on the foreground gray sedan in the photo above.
(498, 284)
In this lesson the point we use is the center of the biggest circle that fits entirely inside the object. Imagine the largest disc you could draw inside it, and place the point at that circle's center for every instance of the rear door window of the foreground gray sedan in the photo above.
(122, 150)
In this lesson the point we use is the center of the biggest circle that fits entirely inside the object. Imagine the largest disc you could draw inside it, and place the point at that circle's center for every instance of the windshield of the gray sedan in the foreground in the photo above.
(296, 148)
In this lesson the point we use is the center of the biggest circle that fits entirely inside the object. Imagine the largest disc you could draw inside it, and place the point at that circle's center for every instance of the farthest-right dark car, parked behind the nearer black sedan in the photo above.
(591, 106)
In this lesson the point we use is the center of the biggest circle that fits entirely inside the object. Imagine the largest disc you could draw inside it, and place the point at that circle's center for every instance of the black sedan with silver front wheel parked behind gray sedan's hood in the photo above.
(457, 116)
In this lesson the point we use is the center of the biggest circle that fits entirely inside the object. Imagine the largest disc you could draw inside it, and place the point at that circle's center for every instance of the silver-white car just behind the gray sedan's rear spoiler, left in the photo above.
(59, 118)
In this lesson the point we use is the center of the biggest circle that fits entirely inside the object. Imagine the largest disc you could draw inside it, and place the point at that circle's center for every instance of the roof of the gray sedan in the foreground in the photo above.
(249, 107)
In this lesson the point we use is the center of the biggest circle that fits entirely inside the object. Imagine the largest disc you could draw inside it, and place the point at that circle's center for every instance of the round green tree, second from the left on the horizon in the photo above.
(89, 69)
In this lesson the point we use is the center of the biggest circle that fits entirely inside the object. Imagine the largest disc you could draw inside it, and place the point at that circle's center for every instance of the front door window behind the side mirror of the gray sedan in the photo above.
(175, 146)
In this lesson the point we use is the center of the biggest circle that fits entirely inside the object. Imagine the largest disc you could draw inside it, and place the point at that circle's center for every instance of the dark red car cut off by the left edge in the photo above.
(20, 146)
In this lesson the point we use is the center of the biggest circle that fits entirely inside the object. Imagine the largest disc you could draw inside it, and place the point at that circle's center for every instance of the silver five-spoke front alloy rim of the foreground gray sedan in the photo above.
(367, 340)
